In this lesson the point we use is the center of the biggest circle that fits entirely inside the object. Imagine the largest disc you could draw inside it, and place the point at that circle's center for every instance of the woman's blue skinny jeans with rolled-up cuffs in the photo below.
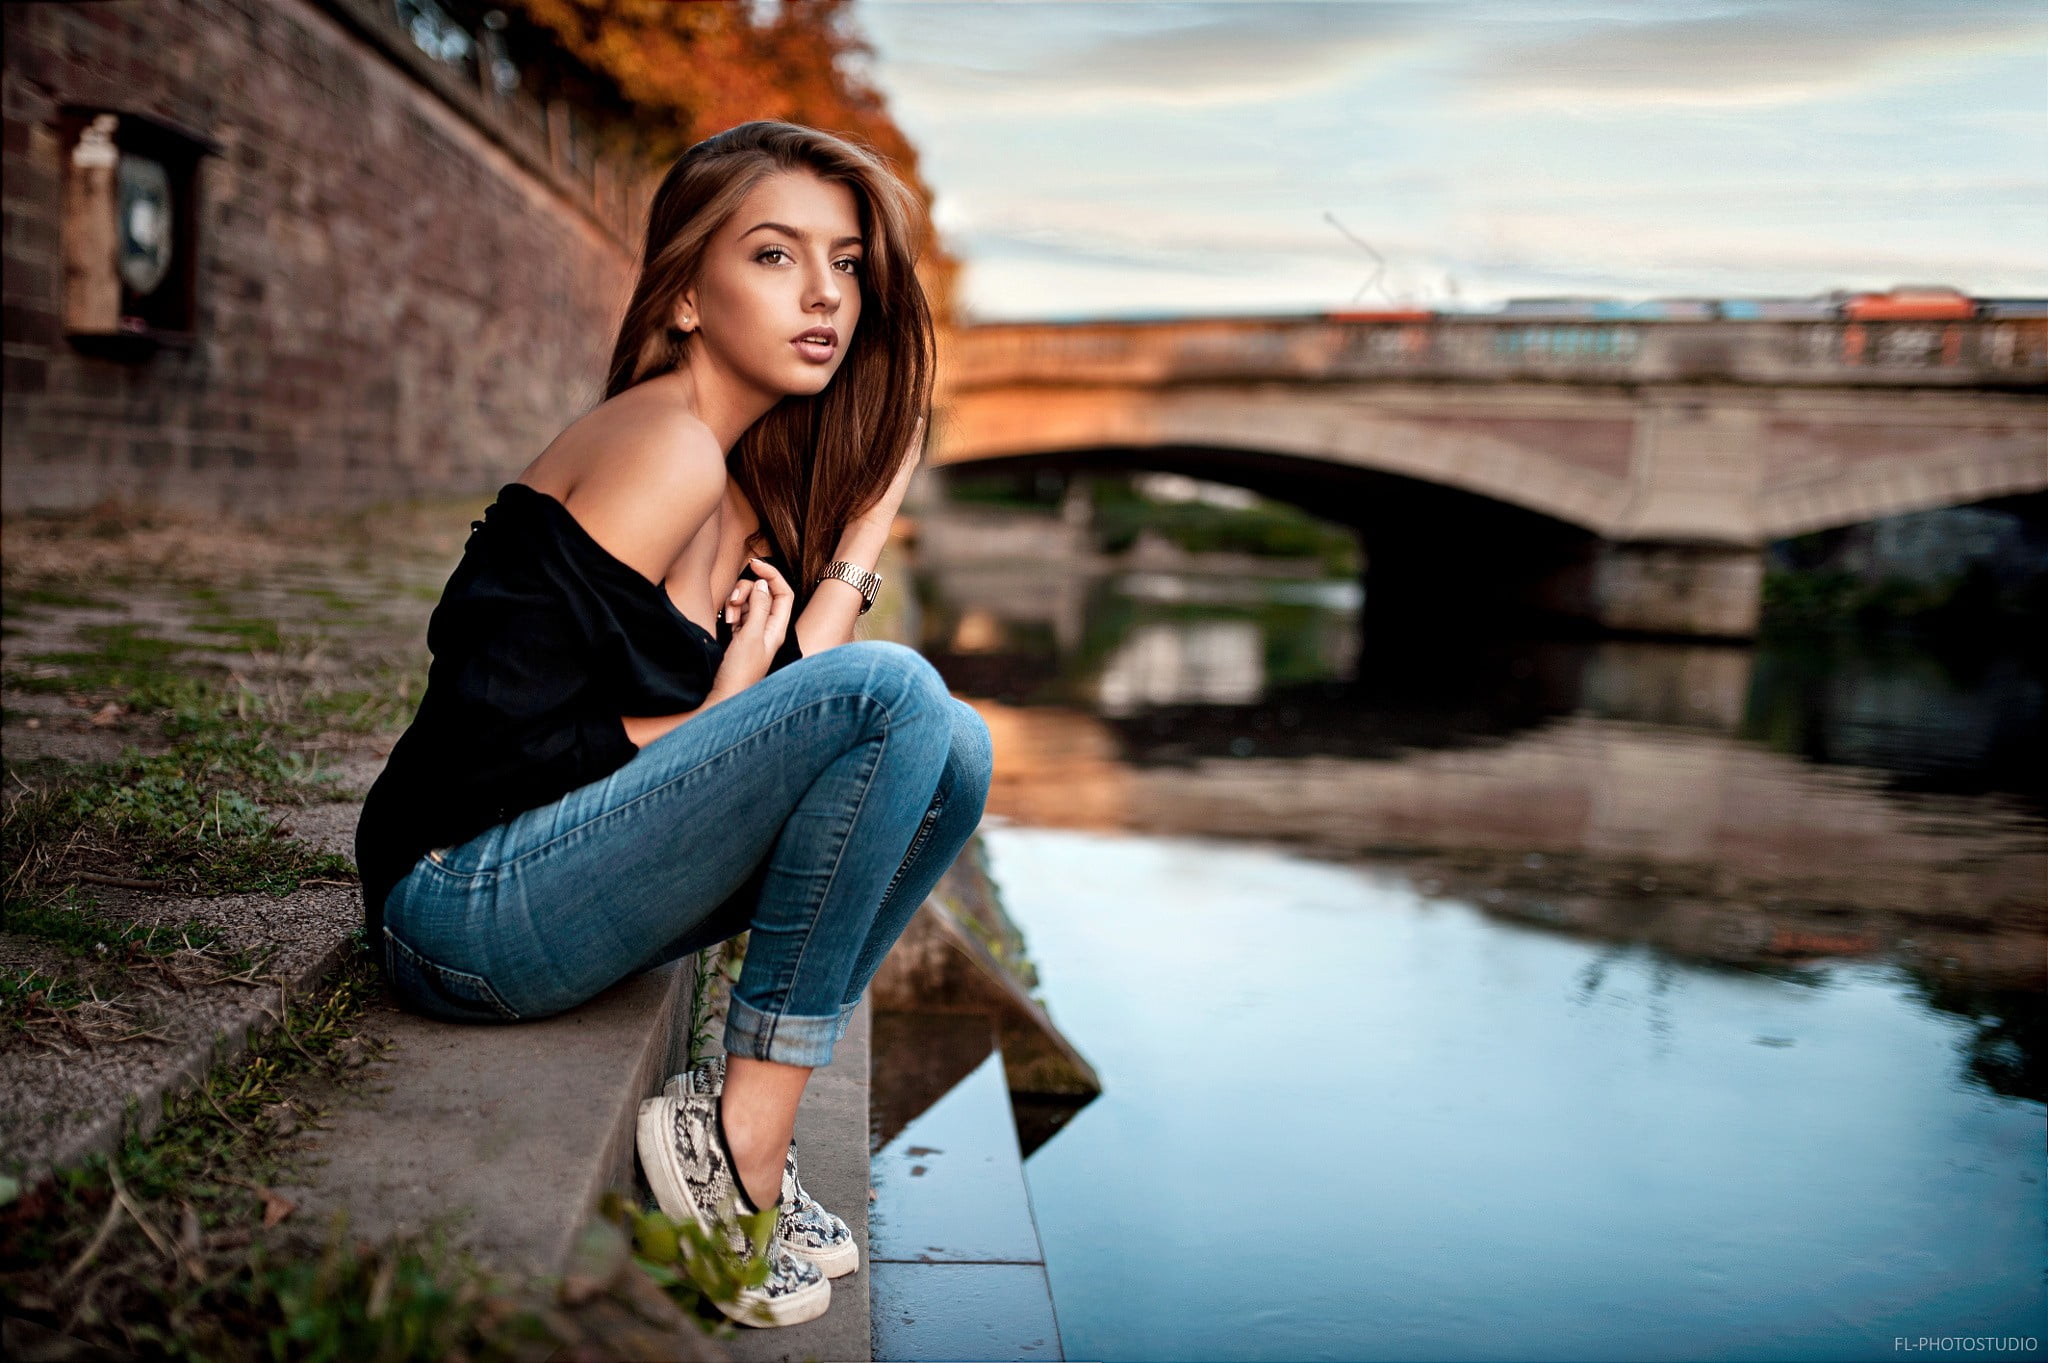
(814, 811)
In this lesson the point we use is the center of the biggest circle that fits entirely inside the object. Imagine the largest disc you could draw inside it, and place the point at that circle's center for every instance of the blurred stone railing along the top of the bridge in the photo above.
(2010, 353)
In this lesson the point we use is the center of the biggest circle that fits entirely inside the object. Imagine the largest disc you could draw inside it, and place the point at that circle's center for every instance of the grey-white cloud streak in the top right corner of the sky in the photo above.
(1756, 54)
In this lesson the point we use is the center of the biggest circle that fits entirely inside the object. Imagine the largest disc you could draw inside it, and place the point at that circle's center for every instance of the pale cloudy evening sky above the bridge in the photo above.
(1136, 159)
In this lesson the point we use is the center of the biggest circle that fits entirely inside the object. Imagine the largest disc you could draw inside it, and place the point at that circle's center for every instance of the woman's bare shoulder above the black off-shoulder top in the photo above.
(654, 480)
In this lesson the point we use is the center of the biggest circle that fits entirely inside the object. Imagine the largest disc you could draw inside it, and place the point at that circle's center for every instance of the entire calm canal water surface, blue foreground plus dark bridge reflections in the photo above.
(1502, 1000)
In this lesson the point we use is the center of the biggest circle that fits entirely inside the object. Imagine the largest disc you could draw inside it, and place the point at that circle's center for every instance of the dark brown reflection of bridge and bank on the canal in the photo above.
(1736, 805)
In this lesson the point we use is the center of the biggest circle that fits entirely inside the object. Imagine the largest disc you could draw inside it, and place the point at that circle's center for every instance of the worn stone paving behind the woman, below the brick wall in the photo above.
(321, 625)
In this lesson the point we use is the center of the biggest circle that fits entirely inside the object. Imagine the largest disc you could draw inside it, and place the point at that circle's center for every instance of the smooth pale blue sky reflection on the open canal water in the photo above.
(1347, 1118)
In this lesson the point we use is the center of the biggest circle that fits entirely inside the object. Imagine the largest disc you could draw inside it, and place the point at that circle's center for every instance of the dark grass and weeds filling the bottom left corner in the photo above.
(191, 1264)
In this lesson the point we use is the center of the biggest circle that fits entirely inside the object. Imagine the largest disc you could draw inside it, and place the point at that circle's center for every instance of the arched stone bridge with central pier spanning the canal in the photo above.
(1627, 474)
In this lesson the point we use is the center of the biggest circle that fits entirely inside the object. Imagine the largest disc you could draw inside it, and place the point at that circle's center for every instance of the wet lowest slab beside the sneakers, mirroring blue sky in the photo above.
(959, 1272)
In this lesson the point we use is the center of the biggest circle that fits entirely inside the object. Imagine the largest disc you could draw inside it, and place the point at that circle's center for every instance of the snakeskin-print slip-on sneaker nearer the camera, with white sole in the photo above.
(693, 1176)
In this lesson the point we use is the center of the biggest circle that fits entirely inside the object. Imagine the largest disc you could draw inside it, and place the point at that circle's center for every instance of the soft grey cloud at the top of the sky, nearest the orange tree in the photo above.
(1156, 54)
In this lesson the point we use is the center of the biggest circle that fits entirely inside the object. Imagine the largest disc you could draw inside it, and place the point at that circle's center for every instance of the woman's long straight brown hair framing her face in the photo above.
(812, 461)
